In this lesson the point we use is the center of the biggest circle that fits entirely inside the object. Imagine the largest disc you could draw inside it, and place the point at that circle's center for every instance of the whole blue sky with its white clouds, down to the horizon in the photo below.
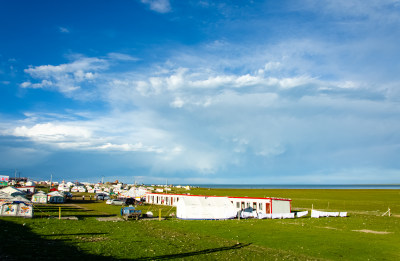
(237, 92)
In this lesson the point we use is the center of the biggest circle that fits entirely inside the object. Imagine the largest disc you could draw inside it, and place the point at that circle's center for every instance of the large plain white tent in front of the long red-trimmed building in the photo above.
(196, 207)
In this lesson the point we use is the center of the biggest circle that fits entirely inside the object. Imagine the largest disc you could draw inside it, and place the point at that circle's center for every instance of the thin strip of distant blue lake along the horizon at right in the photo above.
(283, 186)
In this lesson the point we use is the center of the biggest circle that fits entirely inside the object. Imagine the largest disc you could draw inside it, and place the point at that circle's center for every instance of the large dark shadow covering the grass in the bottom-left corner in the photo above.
(20, 243)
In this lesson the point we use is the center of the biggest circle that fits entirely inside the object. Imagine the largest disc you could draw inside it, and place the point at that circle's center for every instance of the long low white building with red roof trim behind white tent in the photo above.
(261, 205)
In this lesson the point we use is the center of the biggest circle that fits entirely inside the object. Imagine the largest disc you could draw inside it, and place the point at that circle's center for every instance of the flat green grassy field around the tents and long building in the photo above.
(364, 235)
